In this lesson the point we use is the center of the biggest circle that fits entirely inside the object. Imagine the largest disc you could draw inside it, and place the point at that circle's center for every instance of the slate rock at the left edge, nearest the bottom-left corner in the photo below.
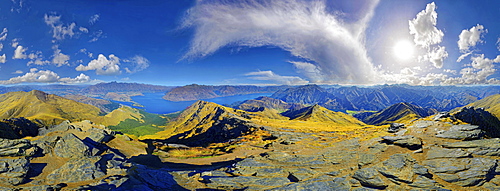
(13, 171)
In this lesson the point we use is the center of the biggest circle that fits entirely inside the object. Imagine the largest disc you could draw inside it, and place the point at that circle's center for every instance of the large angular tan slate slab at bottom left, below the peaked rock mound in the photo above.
(77, 170)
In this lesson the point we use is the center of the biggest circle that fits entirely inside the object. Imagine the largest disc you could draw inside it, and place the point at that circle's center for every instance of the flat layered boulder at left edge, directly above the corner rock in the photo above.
(16, 147)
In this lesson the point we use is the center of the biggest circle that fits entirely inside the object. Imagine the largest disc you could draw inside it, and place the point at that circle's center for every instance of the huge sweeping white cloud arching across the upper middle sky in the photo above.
(304, 28)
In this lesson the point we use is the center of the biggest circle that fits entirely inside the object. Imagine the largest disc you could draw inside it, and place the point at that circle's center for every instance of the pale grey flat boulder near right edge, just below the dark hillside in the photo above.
(462, 132)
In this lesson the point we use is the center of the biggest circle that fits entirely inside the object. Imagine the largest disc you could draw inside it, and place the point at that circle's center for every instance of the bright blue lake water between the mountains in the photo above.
(154, 103)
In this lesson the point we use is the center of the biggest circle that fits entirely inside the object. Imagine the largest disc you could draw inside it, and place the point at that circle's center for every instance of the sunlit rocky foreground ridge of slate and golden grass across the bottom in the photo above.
(435, 153)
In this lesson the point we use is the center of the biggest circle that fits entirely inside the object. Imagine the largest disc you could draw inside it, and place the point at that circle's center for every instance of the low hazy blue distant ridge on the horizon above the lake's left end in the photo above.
(103, 88)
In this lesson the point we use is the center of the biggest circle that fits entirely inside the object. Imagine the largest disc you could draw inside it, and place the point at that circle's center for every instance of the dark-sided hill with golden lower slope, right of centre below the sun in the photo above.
(401, 112)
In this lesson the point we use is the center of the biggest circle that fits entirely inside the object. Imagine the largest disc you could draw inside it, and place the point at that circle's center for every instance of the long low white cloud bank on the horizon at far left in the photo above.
(44, 76)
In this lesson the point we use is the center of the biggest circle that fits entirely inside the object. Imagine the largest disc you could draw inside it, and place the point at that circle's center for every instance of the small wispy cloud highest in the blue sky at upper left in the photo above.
(59, 31)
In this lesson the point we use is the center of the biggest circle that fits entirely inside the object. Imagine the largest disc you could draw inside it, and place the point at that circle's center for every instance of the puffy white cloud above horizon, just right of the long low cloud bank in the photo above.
(102, 65)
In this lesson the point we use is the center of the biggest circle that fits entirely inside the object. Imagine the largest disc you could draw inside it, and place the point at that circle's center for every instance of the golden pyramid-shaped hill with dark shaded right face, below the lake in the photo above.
(204, 123)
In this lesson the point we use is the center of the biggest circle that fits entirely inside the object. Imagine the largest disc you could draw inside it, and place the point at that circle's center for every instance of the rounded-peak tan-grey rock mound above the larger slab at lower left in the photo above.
(71, 146)
